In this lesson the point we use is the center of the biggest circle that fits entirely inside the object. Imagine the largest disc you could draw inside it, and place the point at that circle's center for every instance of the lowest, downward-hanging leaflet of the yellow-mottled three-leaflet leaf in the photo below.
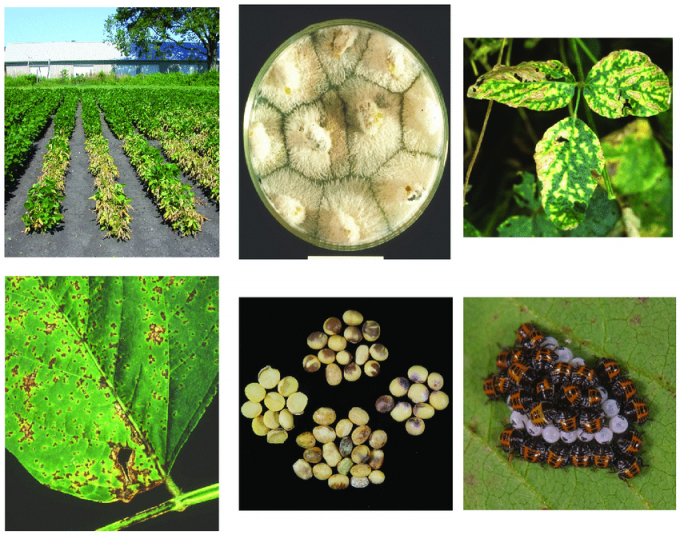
(569, 161)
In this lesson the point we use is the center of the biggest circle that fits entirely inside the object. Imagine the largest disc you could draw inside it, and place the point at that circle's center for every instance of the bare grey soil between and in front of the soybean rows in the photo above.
(80, 235)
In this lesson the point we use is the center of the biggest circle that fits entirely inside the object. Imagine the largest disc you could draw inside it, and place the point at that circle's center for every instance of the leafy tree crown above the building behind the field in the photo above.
(149, 28)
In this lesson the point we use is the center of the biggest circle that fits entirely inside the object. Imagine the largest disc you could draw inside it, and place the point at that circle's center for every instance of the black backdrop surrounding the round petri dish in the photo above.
(262, 30)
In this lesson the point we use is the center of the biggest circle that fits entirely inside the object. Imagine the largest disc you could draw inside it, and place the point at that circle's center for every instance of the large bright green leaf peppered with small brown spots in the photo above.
(106, 377)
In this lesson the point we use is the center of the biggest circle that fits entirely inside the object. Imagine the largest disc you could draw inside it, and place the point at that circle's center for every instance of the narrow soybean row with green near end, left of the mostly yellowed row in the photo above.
(43, 208)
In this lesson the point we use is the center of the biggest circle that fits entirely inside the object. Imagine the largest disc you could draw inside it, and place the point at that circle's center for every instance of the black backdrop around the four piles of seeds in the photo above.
(418, 470)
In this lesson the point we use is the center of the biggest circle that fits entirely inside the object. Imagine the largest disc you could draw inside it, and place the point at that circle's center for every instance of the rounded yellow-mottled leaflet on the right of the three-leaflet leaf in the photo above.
(627, 83)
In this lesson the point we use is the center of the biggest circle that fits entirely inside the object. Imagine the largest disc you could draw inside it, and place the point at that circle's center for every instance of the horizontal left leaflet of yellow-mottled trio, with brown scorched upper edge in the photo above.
(537, 85)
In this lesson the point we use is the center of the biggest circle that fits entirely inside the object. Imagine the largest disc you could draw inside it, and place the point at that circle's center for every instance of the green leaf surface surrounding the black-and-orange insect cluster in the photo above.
(639, 333)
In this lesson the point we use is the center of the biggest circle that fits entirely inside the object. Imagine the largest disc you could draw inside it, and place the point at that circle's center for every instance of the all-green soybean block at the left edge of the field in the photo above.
(27, 111)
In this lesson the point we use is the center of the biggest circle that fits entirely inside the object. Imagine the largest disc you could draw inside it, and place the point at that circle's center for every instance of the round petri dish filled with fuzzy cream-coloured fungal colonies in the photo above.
(345, 134)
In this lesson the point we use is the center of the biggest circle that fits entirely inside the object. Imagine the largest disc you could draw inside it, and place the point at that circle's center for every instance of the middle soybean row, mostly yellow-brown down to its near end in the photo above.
(111, 203)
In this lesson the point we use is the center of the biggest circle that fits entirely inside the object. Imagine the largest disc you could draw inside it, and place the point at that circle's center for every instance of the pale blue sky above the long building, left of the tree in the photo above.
(47, 24)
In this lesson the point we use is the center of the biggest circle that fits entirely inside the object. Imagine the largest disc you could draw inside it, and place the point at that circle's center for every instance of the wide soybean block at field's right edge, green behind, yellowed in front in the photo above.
(186, 122)
